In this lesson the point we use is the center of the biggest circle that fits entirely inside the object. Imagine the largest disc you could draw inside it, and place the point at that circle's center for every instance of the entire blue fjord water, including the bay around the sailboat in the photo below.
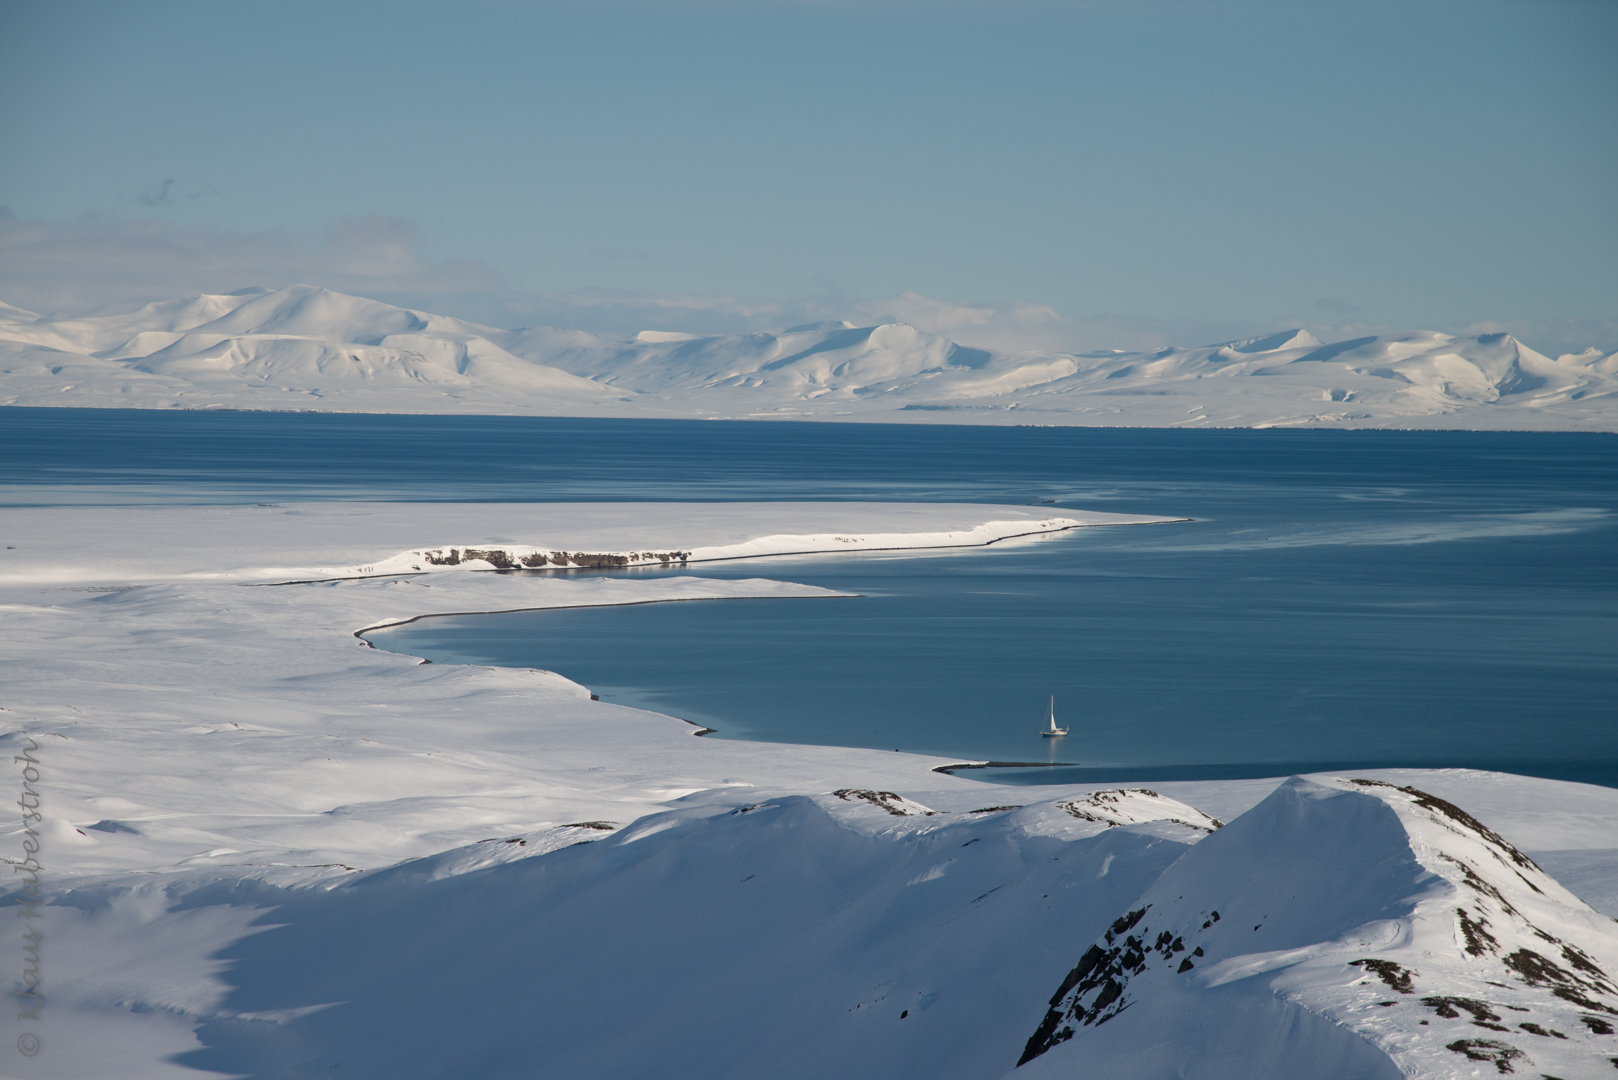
(1341, 600)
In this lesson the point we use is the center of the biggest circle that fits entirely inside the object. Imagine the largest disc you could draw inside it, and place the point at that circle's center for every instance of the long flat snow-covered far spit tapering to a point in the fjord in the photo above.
(277, 543)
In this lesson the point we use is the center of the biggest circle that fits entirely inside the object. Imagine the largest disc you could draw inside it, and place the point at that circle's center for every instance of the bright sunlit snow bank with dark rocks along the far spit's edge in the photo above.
(506, 558)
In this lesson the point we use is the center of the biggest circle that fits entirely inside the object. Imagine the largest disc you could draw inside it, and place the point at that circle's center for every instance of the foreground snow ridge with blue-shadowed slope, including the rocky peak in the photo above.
(1329, 933)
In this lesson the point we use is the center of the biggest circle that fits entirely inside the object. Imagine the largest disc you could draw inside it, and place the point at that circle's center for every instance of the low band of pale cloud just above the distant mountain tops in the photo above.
(96, 261)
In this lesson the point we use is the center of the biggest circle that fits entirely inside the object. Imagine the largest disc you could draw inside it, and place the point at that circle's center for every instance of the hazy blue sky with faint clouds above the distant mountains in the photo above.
(1038, 172)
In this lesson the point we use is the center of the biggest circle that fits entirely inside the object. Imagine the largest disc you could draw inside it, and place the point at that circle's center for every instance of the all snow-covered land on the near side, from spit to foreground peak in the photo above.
(273, 851)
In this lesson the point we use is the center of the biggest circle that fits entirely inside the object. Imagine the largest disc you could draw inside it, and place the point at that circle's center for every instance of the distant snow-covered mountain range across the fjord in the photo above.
(310, 349)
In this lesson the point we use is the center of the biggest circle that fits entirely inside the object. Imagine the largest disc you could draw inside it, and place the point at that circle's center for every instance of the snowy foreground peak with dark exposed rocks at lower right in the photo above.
(1378, 912)
